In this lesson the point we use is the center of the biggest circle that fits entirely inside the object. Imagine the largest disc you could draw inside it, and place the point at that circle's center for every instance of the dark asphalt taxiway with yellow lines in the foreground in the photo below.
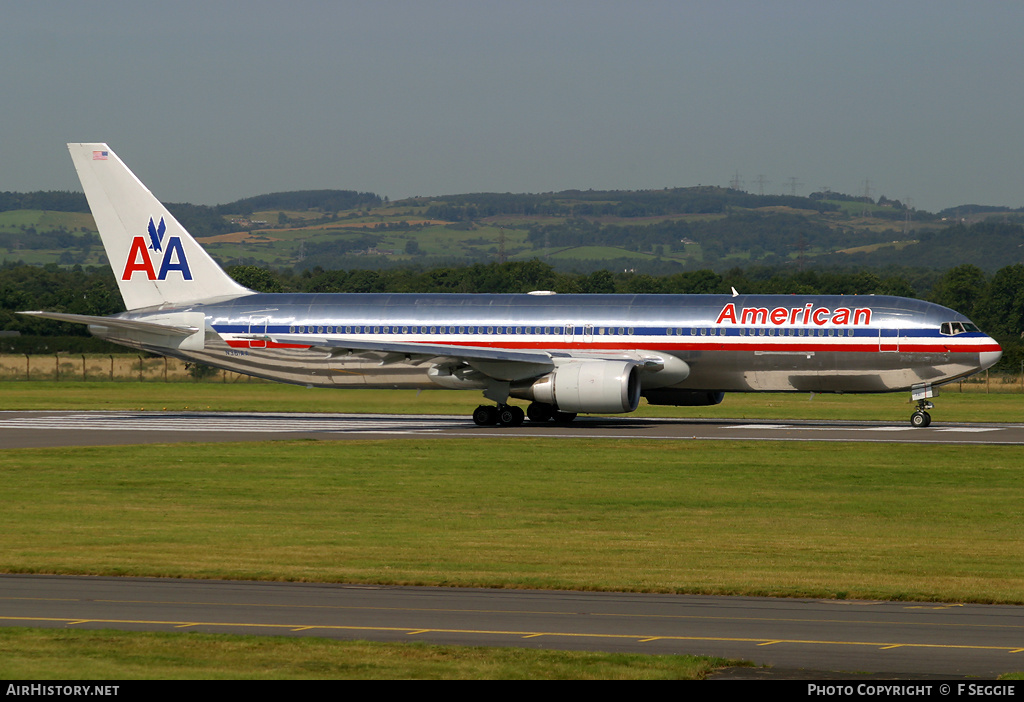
(915, 639)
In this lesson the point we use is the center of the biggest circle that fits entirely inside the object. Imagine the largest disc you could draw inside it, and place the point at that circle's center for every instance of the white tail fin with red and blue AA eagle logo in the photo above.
(155, 260)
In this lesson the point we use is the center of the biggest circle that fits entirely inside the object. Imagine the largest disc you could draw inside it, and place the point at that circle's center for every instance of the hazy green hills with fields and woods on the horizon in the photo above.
(650, 232)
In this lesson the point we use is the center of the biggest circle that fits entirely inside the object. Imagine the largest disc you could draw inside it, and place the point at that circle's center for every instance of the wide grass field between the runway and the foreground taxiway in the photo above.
(900, 522)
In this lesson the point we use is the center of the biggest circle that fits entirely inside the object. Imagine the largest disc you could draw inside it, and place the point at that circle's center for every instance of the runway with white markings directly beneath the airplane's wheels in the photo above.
(41, 429)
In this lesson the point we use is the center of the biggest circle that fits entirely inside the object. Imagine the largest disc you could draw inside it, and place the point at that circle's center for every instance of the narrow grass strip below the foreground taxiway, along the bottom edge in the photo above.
(73, 655)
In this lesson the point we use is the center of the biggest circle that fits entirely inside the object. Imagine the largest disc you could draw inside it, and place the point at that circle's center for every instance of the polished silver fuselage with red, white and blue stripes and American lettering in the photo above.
(858, 344)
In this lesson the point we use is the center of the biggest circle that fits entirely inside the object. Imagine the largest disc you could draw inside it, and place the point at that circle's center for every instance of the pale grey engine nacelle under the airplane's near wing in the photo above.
(586, 386)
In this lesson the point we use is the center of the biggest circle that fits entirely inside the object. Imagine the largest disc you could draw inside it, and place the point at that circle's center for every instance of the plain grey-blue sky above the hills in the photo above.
(215, 101)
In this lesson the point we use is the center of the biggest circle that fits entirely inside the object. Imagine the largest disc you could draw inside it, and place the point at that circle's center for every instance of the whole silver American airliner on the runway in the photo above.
(566, 355)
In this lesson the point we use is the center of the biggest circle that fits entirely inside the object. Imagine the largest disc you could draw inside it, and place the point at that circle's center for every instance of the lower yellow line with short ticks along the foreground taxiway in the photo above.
(525, 635)
